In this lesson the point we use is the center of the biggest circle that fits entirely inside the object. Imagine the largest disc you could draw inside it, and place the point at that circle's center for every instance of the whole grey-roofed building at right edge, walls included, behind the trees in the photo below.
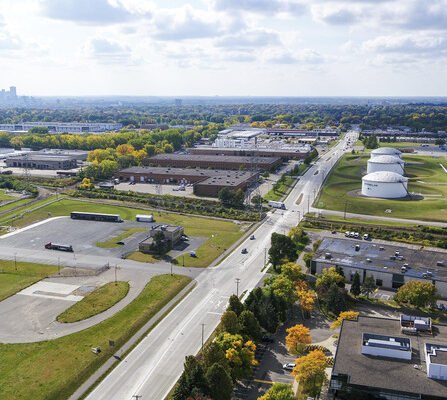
(391, 266)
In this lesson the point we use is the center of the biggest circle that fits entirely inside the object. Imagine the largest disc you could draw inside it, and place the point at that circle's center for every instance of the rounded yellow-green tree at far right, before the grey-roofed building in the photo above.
(418, 294)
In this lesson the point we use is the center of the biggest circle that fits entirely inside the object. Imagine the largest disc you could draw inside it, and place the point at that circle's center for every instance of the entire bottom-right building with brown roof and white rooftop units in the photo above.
(375, 359)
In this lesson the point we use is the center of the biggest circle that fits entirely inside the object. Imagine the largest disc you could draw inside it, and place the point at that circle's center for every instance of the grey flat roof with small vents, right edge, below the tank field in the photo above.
(343, 253)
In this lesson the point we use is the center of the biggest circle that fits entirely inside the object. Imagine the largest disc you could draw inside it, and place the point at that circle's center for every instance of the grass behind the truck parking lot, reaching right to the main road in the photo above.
(221, 234)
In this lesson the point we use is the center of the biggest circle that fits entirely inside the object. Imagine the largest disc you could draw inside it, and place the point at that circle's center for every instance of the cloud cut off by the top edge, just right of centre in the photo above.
(260, 6)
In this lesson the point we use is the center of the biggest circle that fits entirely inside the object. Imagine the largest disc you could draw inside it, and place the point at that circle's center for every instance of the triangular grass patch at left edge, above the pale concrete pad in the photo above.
(12, 280)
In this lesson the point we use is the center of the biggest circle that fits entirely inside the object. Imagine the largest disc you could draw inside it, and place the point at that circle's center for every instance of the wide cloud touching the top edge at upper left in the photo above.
(91, 12)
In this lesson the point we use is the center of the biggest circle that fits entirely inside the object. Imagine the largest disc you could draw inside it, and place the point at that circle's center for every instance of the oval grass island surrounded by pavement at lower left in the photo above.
(95, 302)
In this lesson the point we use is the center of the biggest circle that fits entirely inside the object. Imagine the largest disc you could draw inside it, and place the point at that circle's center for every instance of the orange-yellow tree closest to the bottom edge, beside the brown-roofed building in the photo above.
(310, 371)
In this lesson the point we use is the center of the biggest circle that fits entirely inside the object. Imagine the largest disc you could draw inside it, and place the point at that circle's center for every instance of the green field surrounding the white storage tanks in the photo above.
(426, 177)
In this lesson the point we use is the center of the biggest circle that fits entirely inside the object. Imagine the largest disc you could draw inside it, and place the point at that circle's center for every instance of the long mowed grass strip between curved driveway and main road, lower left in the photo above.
(53, 370)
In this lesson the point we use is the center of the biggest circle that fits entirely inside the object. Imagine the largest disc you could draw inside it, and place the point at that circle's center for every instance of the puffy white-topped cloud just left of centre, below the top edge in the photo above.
(187, 23)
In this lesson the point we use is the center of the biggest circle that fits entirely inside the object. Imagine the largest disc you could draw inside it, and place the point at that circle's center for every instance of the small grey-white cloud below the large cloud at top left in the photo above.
(106, 51)
